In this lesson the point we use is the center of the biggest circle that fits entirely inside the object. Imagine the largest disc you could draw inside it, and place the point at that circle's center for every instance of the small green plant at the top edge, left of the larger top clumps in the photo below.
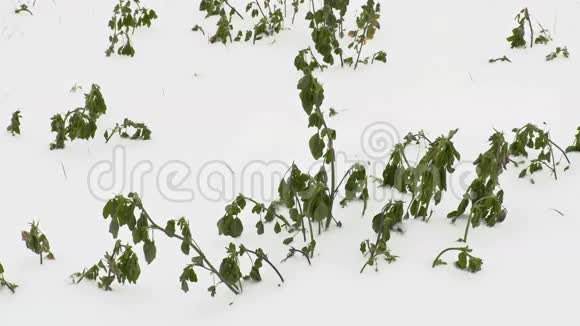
(125, 20)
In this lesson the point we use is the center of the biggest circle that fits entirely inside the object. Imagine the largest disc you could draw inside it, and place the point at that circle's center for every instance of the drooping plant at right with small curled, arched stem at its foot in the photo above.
(485, 197)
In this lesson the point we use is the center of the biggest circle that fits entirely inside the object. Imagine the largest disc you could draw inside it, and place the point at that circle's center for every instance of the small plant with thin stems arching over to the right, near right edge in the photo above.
(531, 137)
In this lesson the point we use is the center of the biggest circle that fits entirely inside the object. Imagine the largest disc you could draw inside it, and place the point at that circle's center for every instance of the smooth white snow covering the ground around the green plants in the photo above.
(225, 110)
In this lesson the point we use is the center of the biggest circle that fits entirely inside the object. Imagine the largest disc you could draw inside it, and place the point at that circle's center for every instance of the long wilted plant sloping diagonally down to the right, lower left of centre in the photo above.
(129, 211)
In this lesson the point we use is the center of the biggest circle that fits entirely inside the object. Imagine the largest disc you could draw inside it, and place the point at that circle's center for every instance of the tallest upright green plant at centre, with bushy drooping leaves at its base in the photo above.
(305, 202)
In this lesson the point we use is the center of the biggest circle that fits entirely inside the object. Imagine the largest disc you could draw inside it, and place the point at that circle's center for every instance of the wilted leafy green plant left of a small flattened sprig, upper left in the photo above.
(80, 123)
